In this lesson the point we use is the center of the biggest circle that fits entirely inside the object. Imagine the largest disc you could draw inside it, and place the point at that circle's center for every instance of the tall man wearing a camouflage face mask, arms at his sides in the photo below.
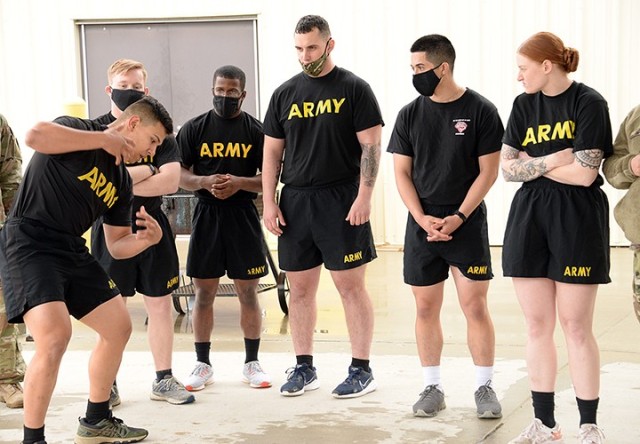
(326, 123)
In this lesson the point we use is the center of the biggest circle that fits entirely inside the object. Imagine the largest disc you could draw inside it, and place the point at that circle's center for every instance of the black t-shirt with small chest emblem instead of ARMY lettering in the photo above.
(445, 141)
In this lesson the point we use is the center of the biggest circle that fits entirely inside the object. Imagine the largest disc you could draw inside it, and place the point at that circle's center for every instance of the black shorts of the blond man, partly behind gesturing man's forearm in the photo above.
(154, 272)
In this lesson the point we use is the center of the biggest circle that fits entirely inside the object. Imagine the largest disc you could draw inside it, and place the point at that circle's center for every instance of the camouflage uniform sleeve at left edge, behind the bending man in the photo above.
(10, 167)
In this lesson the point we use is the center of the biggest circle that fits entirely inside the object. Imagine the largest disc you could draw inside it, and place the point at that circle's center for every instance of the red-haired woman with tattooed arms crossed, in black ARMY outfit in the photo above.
(556, 243)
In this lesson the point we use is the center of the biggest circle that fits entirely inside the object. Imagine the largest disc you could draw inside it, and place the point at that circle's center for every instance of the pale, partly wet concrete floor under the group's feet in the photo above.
(230, 412)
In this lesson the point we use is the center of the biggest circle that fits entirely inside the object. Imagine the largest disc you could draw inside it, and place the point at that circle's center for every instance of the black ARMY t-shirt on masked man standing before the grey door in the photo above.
(213, 145)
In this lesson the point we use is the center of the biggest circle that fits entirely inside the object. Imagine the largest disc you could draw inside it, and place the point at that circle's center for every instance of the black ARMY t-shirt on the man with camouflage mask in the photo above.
(319, 118)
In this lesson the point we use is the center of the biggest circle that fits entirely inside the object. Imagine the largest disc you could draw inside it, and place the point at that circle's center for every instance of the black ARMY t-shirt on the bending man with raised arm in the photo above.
(67, 192)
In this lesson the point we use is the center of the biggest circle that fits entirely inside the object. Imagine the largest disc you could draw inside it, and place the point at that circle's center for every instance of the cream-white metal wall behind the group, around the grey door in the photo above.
(39, 58)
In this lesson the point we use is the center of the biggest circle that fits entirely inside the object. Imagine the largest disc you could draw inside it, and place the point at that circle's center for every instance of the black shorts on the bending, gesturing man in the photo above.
(39, 265)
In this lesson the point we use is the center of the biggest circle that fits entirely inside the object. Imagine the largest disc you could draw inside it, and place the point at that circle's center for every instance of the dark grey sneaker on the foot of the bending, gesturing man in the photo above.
(111, 430)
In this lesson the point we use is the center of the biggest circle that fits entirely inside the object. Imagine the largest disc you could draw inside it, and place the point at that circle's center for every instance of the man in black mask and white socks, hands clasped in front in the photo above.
(446, 148)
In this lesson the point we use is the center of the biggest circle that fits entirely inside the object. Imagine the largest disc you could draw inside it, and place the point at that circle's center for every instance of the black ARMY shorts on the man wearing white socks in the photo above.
(427, 263)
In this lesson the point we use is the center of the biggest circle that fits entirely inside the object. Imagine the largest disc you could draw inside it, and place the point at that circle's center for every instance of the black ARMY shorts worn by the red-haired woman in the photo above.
(558, 231)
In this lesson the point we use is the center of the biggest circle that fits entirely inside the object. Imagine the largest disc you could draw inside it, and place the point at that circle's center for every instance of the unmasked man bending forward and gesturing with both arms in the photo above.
(77, 175)
